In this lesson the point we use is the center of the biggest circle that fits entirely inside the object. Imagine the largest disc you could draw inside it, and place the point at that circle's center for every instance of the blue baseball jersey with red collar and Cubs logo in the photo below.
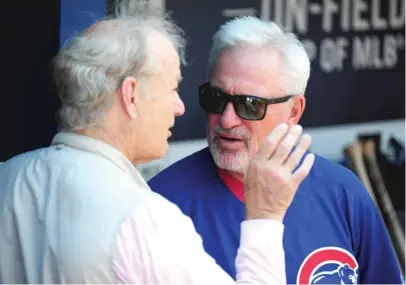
(334, 233)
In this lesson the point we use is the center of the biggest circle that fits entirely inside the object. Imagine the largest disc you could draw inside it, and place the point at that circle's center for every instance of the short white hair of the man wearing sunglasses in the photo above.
(251, 31)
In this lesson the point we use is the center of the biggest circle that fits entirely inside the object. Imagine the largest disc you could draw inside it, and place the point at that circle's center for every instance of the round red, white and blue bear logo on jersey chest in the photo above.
(328, 265)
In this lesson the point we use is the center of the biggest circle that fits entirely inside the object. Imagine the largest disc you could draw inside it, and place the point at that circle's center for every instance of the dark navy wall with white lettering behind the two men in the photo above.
(357, 52)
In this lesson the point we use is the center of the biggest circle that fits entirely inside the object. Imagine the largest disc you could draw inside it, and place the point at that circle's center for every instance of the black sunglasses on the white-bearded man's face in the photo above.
(253, 108)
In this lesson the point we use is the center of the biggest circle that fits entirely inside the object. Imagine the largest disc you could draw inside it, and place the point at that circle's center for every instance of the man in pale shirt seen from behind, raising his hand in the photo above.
(78, 211)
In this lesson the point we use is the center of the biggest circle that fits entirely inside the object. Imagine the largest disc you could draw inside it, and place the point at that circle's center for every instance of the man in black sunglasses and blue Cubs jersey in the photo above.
(257, 79)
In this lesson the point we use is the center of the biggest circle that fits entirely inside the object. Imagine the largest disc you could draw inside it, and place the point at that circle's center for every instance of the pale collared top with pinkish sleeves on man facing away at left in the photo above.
(79, 212)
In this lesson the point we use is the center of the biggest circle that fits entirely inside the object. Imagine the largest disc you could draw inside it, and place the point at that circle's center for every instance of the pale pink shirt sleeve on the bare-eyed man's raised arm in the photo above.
(159, 244)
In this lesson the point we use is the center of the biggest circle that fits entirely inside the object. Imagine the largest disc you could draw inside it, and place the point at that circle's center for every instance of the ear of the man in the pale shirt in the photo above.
(128, 93)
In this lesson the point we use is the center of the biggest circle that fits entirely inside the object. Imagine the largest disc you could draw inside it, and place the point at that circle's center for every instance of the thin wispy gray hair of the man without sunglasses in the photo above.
(91, 66)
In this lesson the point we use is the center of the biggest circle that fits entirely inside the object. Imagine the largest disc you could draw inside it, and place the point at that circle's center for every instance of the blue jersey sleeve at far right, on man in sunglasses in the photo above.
(375, 254)
